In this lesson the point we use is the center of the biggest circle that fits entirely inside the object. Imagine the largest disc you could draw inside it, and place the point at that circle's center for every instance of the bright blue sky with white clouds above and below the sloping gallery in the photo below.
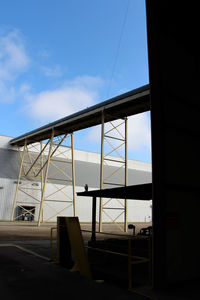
(60, 56)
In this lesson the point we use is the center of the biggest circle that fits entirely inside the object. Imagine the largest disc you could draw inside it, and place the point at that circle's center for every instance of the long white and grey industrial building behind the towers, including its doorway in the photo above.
(87, 171)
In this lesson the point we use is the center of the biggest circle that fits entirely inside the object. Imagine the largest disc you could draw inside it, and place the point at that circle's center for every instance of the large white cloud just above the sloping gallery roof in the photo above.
(73, 96)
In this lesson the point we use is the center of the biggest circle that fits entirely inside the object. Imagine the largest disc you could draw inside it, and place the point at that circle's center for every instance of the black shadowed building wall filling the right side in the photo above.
(174, 73)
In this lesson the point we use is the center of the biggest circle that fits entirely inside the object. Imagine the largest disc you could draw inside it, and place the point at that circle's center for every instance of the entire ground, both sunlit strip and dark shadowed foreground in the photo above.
(26, 271)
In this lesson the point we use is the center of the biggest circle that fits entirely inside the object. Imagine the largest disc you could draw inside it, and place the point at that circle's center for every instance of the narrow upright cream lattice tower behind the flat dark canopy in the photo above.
(113, 170)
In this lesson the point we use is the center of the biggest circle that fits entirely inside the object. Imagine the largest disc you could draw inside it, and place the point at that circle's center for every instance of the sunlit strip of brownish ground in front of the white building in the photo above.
(37, 239)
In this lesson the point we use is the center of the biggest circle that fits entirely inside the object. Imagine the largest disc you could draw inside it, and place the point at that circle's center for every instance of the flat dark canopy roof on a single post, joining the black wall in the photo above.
(134, 192)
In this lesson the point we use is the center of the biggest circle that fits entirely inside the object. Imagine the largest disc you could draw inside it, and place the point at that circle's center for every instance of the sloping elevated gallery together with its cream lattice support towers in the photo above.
(35, 170)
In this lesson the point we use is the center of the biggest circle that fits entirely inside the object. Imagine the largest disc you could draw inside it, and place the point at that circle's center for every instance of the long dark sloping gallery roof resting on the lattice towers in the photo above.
(130, 103)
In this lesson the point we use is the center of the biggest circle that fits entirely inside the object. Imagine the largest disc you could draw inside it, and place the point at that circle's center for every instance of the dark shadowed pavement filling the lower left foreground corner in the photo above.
(25, 276)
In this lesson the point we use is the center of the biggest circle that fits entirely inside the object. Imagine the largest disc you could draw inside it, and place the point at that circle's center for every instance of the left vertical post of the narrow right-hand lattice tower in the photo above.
(101, 171)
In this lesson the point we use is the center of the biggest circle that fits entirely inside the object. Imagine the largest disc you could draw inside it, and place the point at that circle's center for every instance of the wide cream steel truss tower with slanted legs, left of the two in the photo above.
(46, 181)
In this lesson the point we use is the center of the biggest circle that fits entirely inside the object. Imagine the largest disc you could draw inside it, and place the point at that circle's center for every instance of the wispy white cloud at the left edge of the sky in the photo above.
(13, 62)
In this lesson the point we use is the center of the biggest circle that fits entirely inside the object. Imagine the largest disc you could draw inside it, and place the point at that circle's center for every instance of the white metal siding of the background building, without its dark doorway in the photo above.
(139, 172)
